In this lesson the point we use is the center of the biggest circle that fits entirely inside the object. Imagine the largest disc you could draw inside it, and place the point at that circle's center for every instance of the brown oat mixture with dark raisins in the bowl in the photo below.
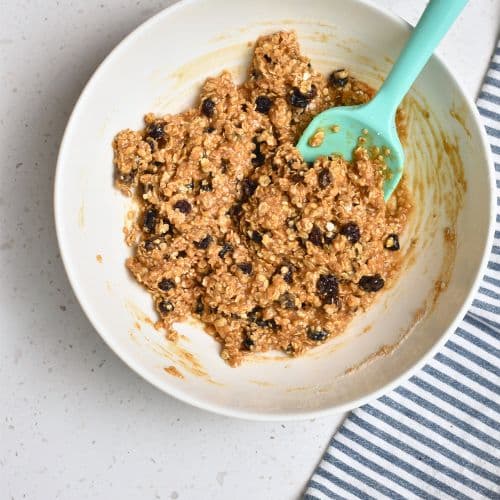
(269, 252)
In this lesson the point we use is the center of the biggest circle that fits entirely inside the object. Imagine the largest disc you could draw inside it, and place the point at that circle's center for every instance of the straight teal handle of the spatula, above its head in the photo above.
(435, 22)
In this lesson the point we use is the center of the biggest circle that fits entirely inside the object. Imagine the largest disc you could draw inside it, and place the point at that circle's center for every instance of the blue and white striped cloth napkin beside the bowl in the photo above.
(438, 435)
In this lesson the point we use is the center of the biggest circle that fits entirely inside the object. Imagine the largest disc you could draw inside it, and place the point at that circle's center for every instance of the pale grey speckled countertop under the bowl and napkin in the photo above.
(75, 422)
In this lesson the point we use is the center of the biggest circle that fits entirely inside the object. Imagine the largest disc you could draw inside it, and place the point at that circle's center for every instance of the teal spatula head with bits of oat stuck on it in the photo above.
(337, 131)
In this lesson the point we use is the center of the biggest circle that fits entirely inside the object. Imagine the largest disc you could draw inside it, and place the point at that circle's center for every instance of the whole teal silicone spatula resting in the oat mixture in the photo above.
(342, 126)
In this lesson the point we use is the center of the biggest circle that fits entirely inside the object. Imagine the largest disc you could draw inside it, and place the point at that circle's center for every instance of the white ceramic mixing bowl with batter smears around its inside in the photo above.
(159, 68)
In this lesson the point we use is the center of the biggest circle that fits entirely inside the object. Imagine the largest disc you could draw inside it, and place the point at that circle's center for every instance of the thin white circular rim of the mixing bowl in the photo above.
(220, 409)
